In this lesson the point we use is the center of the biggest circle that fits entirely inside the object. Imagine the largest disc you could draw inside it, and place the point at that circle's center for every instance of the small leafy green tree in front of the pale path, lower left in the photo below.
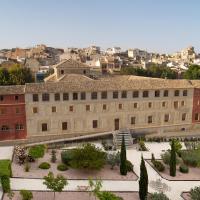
(55, 184)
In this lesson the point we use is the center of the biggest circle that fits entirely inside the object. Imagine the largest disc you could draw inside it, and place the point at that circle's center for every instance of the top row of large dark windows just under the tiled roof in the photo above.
(104, 95)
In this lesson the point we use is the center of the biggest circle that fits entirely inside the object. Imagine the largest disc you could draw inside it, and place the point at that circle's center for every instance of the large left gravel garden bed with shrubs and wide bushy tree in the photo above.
(82, 162)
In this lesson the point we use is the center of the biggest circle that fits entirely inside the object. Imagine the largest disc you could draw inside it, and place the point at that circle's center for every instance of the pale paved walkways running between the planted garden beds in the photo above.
(175, 187)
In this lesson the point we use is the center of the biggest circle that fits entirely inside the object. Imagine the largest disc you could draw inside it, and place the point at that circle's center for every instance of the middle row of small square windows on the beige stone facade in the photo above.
(104, 106)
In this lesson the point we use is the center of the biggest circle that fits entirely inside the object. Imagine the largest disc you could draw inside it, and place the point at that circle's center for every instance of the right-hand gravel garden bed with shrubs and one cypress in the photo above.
(178, 163)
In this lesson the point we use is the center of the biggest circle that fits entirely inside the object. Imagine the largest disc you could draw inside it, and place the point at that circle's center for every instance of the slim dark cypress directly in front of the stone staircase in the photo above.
(123, 168)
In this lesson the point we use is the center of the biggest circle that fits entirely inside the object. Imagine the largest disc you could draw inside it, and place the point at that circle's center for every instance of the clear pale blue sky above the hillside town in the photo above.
(163, 26)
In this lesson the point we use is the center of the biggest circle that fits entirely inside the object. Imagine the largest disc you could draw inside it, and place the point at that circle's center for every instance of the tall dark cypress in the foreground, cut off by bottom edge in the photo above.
(143, 182)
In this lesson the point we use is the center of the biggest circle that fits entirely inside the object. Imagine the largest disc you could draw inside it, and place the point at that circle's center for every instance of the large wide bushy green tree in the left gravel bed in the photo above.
(88, 157)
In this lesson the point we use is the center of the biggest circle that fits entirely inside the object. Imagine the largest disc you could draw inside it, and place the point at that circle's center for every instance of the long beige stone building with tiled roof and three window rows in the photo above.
(78, 105)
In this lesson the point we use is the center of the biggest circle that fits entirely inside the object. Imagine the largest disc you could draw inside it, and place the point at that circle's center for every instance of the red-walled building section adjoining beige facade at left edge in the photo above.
(12, 113)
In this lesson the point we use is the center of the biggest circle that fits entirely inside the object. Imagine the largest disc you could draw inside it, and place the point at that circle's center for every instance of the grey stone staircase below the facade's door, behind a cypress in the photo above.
(117, 138)
